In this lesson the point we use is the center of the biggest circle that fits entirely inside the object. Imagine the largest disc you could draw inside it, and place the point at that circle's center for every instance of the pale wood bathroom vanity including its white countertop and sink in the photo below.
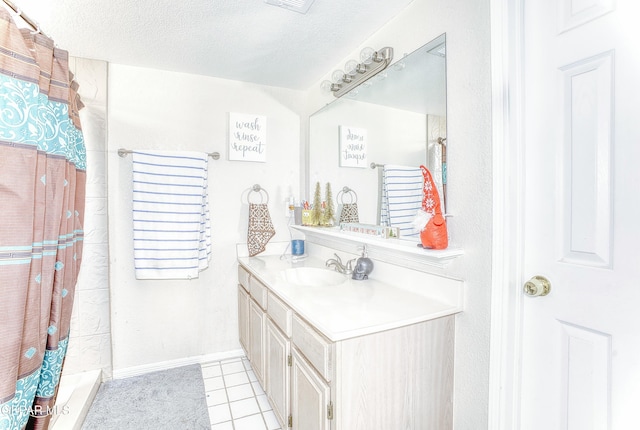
(333, 353)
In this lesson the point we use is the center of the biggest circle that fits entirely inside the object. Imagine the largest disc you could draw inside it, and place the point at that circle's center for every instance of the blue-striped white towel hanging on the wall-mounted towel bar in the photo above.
(171, 224)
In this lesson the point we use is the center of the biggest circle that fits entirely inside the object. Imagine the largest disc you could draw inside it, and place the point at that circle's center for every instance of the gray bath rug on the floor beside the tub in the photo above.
(169, 399)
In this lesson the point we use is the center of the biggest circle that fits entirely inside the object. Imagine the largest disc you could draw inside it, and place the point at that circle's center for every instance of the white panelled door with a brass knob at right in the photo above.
(581, 343)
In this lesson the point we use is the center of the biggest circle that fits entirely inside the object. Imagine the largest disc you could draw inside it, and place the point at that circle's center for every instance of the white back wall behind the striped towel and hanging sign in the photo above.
(167, 321)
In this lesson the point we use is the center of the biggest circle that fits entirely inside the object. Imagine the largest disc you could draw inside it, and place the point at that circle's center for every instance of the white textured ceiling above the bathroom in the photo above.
(244, 40)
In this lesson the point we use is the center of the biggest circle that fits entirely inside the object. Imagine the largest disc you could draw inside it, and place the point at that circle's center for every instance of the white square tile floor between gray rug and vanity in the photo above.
(235, 398)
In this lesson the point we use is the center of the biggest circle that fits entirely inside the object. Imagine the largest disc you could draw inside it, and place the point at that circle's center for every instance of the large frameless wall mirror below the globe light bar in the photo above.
(400, 117)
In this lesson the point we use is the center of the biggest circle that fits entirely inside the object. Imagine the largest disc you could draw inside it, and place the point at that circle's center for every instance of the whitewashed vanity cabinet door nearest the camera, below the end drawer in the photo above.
(310, 396)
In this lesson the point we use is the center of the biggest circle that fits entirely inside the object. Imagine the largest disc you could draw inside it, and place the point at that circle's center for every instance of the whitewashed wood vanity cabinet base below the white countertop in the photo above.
(400, 377)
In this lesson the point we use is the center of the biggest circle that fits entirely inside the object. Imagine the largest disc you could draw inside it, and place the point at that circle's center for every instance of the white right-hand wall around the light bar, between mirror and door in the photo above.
(467, 25)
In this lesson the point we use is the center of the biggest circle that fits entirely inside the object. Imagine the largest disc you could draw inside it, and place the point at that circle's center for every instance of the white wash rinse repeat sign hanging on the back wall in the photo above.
(247, 137)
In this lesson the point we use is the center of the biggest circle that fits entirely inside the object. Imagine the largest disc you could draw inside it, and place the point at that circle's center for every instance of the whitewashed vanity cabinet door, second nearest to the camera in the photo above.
(277, 348)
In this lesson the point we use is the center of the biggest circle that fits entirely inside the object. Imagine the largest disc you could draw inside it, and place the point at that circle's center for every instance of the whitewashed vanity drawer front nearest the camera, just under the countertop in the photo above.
(317, 349)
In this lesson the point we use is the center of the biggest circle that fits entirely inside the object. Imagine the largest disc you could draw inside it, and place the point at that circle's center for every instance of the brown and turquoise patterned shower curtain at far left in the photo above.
(42, 188)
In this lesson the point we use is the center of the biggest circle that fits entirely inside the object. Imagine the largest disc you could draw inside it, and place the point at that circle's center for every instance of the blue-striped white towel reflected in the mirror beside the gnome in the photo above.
(401, 197)
